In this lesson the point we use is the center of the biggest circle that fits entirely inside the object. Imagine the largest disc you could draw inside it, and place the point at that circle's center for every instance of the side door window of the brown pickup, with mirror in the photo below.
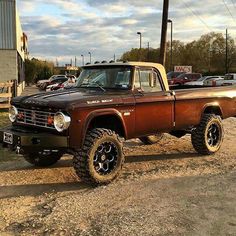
(147, 80)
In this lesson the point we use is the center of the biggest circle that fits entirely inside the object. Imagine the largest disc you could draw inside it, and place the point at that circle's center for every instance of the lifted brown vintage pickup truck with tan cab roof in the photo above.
(112, 101)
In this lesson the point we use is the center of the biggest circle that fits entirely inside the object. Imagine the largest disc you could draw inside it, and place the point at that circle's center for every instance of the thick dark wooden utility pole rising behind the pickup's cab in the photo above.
(162, 59)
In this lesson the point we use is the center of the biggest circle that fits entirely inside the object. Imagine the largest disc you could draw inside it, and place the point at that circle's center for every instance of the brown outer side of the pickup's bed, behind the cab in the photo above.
(190, 103)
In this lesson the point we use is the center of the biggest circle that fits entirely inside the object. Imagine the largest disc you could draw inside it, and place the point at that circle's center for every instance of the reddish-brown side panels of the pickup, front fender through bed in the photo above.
(159, 112)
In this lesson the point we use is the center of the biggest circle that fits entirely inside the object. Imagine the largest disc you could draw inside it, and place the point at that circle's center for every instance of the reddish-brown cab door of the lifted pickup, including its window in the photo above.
(154, 106)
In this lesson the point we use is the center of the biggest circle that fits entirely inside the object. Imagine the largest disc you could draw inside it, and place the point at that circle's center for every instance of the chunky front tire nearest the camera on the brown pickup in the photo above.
(85, 158)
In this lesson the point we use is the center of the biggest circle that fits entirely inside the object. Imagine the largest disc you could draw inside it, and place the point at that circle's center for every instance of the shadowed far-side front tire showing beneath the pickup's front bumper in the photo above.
(37, 159)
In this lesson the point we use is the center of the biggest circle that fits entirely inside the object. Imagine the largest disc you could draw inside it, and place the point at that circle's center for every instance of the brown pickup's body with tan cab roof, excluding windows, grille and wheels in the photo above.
(131, 113)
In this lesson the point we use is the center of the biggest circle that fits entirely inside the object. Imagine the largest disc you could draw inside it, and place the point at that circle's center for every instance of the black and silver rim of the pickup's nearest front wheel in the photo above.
(105, 158)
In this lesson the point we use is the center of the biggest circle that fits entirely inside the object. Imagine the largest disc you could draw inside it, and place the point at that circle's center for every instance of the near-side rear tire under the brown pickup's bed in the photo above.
(202, 135)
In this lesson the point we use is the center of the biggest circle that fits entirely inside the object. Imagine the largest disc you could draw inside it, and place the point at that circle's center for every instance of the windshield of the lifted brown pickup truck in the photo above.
(105, 77)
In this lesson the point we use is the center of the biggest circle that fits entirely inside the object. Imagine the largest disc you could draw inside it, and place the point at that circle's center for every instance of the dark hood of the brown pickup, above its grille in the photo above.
(70, 99)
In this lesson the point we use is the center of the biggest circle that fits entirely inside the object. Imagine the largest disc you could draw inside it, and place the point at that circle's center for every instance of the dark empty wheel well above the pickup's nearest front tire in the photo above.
(111, 122)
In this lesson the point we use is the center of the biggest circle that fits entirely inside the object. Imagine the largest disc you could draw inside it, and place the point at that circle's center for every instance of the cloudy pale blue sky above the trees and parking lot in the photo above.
(64, 29)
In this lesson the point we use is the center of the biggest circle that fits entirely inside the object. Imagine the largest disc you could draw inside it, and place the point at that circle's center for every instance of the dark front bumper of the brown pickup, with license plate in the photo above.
(26, 141)
